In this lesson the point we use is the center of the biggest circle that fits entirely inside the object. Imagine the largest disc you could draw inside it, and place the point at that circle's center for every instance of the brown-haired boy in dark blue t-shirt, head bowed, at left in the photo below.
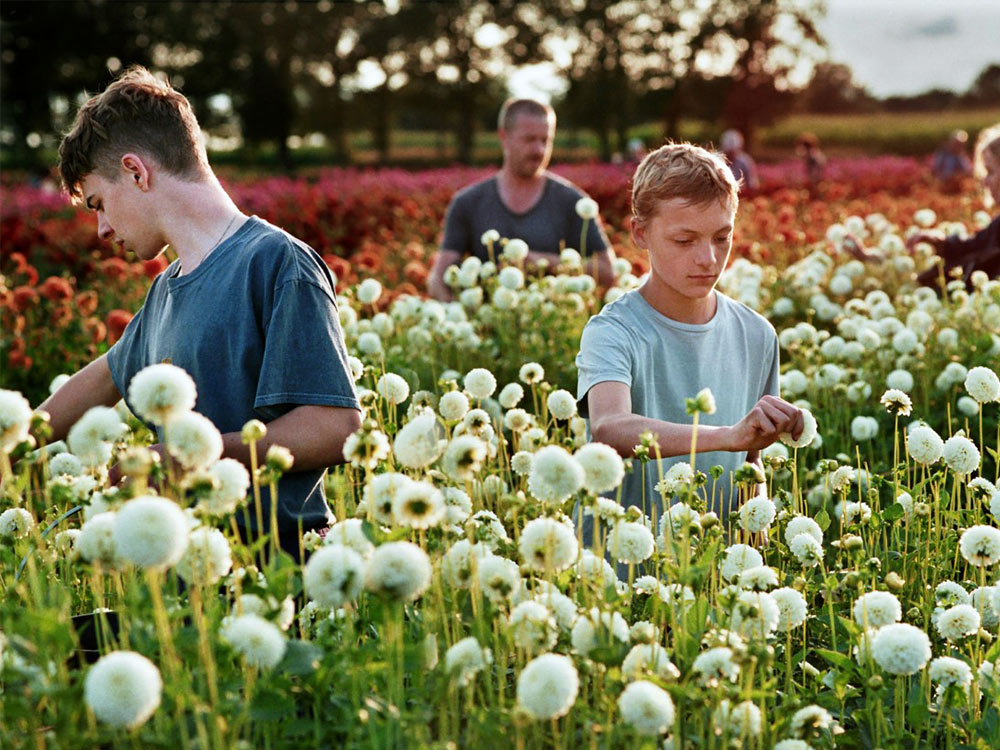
(246, 309)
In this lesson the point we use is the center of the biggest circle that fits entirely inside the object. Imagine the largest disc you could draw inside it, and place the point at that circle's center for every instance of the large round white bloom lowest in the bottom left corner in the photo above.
(123, 689)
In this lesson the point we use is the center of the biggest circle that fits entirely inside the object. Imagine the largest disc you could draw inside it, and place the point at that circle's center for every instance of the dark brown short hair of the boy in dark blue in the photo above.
(137, 112)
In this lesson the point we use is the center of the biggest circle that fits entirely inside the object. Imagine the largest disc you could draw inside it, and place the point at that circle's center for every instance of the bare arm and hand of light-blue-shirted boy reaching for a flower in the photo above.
(612, 422)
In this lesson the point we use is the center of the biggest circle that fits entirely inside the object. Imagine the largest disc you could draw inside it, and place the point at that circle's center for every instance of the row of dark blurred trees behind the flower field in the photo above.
(346, 80)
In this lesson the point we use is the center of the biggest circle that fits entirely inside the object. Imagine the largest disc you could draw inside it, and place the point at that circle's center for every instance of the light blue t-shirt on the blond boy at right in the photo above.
(663, 362)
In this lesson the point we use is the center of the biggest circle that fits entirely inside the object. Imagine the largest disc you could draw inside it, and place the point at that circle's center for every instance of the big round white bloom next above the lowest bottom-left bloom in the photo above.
(151, 532)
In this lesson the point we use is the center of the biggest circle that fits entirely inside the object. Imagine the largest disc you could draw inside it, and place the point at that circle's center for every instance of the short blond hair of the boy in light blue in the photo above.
(685, 171)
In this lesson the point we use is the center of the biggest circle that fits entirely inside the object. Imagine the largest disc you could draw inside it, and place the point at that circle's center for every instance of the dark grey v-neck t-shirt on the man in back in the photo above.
(553, 219)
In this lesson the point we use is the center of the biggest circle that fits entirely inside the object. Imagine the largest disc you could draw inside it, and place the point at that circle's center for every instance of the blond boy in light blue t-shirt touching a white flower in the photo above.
(654, 347)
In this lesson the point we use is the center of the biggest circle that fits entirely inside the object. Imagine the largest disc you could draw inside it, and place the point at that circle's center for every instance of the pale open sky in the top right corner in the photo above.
(909, 46)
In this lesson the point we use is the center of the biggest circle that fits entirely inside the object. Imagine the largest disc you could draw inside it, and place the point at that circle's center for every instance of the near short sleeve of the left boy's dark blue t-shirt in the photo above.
(305, 360)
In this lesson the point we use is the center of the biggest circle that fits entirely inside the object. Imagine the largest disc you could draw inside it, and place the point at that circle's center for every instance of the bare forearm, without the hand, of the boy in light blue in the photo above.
(623, 433)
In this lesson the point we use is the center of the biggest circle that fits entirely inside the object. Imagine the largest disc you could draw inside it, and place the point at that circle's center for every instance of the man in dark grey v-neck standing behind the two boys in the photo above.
(521, 201)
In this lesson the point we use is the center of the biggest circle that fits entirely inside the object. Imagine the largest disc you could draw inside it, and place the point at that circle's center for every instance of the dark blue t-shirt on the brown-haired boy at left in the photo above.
(256, 327)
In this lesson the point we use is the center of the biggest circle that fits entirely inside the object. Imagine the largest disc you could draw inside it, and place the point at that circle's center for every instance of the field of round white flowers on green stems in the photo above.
(453, 603)
